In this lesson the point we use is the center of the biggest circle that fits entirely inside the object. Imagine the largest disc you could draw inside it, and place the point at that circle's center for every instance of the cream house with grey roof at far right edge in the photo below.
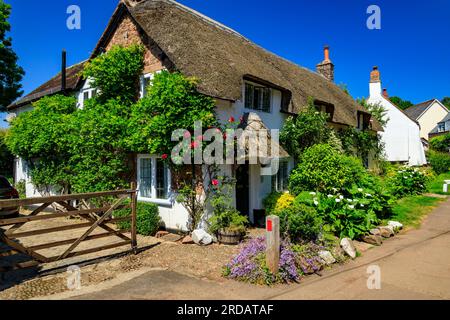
(428, 114)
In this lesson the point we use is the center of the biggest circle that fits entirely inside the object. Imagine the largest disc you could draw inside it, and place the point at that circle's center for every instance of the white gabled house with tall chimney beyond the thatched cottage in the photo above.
(401, 134)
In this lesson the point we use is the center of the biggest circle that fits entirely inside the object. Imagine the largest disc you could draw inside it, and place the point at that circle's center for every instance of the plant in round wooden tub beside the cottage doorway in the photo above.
(226, 222)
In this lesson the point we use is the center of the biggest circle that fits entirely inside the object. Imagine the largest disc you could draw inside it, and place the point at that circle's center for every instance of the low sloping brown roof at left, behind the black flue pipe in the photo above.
(52, 86)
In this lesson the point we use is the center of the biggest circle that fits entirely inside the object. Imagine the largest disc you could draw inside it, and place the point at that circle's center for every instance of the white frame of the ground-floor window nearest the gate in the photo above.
(153, 199)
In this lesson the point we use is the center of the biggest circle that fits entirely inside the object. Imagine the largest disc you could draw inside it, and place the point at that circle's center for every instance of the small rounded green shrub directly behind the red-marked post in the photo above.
(299, 222)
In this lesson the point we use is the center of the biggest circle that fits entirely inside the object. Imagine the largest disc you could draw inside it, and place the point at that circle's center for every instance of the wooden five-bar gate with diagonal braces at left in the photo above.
(90, 208)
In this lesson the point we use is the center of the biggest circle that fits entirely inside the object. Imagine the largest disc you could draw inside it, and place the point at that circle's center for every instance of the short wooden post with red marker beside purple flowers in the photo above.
(273, 243)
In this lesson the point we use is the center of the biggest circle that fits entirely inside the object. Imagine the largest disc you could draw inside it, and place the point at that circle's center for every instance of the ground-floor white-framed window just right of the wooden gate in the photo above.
(153, 177)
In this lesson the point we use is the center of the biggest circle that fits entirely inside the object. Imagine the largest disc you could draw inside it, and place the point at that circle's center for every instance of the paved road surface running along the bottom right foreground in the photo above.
(413, 265)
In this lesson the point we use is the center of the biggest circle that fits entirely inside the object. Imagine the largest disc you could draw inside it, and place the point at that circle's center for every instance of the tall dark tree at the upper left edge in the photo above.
(10, 72)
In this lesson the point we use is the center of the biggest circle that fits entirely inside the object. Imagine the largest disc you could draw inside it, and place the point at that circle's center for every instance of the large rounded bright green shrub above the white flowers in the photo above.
(323, 169)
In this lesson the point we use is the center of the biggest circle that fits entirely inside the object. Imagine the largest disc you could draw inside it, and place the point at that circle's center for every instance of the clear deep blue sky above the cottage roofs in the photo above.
(412, 49)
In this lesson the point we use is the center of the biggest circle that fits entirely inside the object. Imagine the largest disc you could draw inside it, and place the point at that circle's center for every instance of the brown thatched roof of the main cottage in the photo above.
(222, 58)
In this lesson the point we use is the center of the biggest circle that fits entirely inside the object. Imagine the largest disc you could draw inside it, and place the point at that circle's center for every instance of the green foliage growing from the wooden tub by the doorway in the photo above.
(225, 216)
